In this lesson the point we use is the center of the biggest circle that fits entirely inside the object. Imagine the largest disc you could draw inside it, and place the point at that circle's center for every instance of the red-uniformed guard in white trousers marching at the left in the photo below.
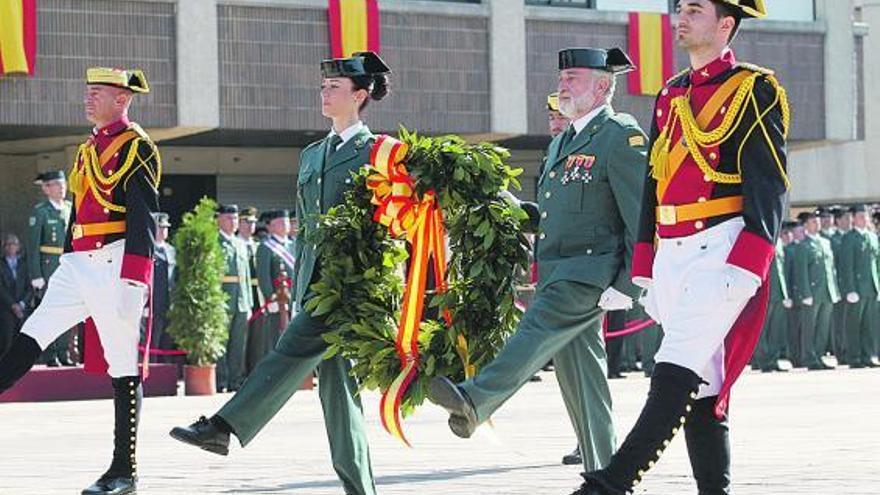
(106, 269)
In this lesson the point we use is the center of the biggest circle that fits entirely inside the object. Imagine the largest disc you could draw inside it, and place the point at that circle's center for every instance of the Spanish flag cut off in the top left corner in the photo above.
(18, 36)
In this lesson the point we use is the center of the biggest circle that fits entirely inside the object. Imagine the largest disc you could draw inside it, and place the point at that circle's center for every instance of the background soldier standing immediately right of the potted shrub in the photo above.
(237, 286)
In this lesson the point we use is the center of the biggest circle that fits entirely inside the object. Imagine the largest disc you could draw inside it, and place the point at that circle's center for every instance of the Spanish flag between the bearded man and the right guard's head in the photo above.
(650, 46)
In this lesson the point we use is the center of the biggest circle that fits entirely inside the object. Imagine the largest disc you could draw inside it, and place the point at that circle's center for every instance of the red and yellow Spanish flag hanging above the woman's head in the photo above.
(354, 26)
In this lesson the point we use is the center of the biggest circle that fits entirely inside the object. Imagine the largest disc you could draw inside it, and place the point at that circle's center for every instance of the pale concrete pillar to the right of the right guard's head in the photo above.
(840, 73)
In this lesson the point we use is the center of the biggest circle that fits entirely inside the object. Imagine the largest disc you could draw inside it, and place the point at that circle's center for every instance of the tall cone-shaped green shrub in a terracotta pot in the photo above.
(197, 318)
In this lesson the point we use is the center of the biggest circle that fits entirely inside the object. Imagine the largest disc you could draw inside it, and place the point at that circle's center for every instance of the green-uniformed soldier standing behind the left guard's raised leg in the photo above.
(47, 231)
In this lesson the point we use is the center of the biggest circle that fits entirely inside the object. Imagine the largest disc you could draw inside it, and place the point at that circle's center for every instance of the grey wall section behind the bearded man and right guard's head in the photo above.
(796, 57)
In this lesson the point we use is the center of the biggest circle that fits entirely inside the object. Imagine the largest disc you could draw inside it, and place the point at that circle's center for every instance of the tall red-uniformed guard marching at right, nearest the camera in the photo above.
(712, 209)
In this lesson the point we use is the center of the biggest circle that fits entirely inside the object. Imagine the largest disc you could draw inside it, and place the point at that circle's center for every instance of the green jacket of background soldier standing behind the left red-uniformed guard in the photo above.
(47, 228)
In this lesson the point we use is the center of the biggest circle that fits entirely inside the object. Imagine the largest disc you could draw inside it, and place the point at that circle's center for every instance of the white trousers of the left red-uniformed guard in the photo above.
(87, 284)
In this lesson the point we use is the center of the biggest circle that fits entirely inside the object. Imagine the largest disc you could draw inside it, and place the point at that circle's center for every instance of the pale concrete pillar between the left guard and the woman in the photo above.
(198, 67)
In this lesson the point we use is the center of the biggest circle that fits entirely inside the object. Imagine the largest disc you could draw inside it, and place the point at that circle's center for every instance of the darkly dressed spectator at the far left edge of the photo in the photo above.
(15, 291)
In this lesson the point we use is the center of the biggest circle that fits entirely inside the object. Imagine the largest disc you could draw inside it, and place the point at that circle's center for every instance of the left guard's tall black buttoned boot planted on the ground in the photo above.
(121, 478)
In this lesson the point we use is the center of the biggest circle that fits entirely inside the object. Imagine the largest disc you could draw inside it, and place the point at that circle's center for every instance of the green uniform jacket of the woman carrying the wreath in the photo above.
(320, 186)
